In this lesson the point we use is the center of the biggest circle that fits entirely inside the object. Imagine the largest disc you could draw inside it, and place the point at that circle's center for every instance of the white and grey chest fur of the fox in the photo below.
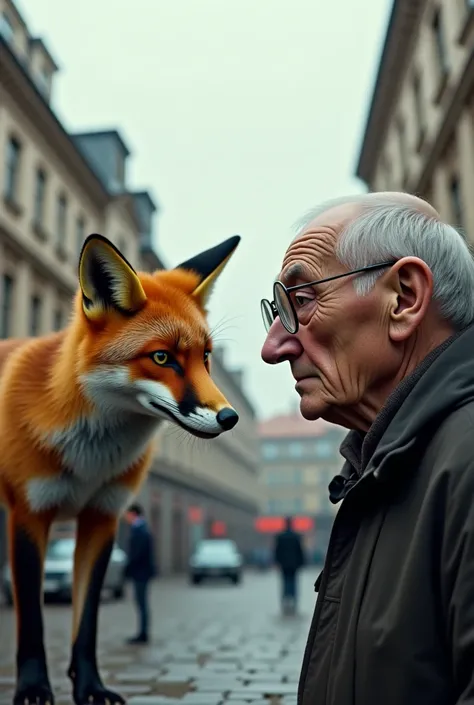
(94, 455)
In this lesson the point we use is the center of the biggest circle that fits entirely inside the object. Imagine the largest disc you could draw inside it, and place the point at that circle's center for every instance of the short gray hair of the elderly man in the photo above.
(387, 229)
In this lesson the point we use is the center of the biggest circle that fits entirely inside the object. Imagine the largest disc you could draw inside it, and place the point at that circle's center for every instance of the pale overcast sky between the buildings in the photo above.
(240, 116)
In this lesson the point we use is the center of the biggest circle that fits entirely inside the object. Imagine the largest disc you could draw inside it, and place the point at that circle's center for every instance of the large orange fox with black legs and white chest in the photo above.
(79, 412)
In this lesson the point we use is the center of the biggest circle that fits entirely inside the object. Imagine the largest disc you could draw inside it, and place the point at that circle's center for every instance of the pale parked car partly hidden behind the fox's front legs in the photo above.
(58, 572)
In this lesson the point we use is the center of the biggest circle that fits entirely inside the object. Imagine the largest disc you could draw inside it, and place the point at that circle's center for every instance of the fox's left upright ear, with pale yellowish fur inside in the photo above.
(107, 280)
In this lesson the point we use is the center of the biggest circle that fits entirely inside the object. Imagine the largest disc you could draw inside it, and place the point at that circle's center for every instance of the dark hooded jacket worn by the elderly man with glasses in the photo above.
(394, 618)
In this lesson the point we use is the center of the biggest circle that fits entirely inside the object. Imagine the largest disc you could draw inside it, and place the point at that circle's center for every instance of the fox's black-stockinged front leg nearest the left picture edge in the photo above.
(28, 536)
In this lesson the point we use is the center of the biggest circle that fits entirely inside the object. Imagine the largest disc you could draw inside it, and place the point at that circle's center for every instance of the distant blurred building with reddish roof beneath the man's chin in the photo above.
(299, 458)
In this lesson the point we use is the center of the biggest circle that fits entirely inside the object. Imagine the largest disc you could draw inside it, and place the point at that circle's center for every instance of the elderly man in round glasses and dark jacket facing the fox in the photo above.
(374, 311)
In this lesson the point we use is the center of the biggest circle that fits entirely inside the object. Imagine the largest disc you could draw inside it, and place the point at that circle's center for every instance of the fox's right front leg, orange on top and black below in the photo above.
(94, 543)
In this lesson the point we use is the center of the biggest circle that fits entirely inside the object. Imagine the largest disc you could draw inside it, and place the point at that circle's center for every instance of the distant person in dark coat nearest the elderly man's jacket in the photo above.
(289, 557)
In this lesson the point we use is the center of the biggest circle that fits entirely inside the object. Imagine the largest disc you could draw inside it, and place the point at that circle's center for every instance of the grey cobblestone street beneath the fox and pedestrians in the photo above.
(211, 644)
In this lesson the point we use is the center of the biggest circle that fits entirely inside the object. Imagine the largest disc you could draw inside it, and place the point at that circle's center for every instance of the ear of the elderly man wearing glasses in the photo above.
(411, 281)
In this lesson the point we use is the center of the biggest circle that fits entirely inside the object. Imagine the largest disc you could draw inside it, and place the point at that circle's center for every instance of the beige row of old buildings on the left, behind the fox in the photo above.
(55, 189)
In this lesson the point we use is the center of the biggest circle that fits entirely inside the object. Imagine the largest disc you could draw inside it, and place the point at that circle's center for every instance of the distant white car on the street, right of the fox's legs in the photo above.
(216, 558)
